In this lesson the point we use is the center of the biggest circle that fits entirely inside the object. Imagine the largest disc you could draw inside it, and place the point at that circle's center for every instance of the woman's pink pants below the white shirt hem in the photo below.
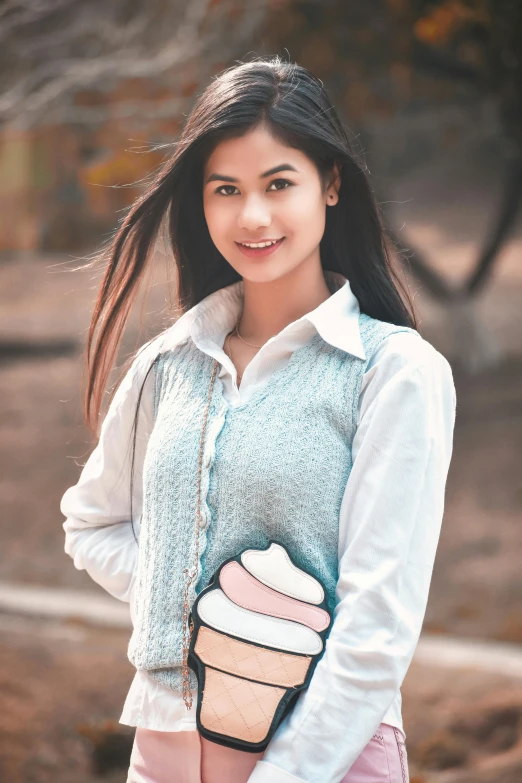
(186, 757)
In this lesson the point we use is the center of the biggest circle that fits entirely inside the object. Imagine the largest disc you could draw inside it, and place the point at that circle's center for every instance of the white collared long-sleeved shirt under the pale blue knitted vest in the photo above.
(401, 455)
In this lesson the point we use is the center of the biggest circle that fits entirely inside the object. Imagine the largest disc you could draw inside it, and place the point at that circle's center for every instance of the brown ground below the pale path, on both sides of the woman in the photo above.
(62, 688)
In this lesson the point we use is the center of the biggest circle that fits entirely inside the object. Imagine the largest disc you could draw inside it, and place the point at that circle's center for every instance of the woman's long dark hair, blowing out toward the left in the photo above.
(292, 103)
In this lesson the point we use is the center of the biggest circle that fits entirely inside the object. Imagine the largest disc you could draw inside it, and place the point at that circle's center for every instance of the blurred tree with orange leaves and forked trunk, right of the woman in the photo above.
(382, 58)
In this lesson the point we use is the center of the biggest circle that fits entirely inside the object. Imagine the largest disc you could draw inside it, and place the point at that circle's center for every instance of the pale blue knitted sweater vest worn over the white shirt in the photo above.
(273, 468)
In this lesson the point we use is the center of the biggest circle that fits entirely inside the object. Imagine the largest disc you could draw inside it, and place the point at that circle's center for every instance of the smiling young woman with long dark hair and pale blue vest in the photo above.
(328, 428)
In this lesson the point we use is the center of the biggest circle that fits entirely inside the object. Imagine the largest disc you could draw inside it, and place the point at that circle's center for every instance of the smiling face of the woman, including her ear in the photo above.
(256, 189)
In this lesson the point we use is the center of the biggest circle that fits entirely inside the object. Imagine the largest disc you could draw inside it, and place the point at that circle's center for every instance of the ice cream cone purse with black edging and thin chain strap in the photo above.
(253, 638)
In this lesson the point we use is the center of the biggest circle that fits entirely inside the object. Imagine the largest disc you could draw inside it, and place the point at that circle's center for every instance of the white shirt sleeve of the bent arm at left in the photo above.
(98, 531)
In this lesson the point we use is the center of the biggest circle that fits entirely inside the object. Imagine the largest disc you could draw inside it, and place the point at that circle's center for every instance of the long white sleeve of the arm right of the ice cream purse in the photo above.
(390, 523)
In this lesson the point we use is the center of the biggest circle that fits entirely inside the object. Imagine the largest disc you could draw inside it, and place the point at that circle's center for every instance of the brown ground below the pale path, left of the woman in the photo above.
(60, 698)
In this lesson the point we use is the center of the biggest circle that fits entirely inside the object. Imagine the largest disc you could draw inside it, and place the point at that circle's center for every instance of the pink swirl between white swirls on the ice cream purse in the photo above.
(246, 591)
